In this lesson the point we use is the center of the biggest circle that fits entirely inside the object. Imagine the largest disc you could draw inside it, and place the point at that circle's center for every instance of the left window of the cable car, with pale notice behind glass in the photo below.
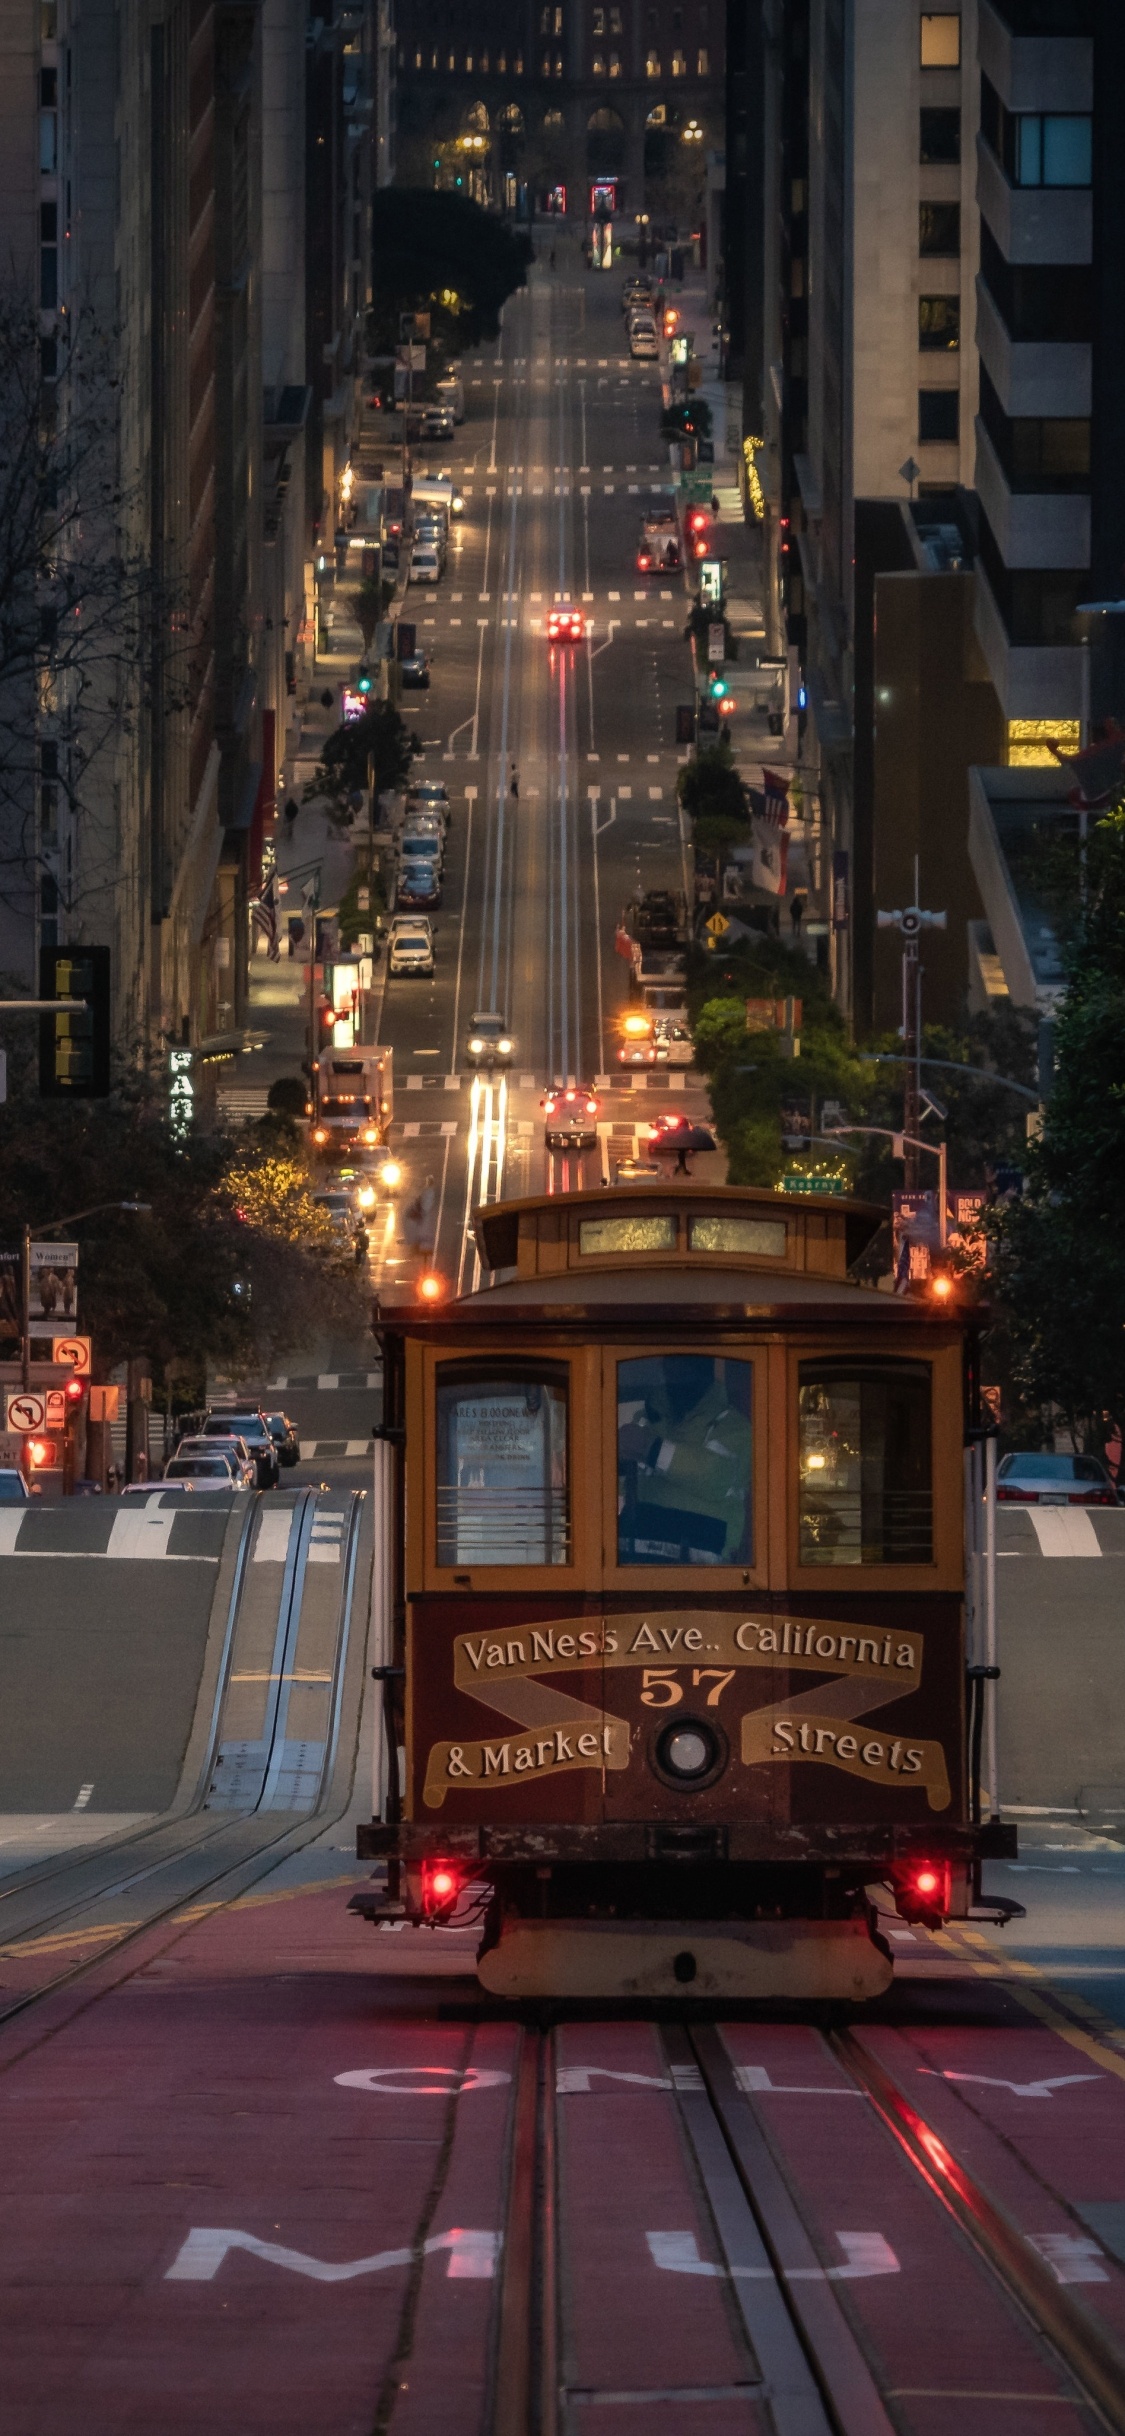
(503, 1465)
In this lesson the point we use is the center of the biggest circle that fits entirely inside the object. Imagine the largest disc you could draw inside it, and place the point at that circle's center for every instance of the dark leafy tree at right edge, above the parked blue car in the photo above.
(1058, 1253)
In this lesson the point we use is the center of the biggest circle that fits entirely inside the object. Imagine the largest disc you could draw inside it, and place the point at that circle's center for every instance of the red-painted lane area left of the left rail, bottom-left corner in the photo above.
(228, 2181)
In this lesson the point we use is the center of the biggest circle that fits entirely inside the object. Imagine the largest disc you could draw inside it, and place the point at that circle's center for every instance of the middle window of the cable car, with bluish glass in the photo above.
(683, 1460)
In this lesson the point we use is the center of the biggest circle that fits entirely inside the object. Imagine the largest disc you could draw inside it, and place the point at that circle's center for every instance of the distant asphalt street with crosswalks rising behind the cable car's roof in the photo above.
(559, 457)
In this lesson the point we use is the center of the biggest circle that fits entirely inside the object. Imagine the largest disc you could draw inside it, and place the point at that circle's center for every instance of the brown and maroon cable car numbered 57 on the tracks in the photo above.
(671, 1602)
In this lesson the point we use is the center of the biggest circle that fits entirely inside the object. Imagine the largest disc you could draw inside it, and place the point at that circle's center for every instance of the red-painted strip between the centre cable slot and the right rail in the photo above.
(948, 2350)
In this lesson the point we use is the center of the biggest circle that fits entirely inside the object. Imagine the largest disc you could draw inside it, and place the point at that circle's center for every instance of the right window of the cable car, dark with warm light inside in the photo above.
(866, 1463)
